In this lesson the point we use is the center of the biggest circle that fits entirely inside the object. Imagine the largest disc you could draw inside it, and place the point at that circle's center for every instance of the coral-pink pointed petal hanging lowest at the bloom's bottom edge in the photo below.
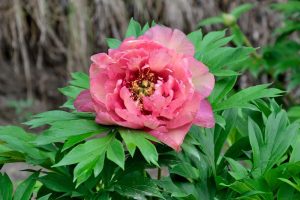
(174, 137)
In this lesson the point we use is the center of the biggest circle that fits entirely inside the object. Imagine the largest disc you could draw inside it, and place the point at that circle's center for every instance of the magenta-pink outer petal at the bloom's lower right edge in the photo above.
(205, 116)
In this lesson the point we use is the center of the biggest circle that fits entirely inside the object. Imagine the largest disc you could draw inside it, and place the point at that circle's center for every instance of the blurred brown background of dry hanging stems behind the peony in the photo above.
(41, 41)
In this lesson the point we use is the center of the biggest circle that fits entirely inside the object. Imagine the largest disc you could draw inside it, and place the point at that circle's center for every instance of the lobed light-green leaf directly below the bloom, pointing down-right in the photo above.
(140, 139)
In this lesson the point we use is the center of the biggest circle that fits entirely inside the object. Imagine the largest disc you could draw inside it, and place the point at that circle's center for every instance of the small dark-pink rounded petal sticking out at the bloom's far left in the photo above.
(84, 103)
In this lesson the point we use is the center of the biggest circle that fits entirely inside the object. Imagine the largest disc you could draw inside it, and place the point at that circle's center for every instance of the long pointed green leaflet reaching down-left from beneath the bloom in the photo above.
(92, 148)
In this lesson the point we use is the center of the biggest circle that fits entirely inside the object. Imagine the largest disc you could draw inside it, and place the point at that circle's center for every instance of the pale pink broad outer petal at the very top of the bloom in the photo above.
(175, 40)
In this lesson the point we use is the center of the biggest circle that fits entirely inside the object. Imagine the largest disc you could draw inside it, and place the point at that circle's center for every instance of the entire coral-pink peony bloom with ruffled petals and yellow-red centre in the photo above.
(151, 83)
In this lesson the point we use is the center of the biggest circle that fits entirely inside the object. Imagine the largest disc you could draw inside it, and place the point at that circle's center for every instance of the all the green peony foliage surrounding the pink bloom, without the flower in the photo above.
(251, 153)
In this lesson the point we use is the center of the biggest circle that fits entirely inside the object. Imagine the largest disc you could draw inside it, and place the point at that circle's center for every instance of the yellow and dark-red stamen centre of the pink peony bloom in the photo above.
(143, 85)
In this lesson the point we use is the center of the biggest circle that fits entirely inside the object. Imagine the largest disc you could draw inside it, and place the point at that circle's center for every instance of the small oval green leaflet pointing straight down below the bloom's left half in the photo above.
(115, 153)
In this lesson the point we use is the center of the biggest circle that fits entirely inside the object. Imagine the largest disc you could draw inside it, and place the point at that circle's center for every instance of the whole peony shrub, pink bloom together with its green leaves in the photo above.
(158, 117)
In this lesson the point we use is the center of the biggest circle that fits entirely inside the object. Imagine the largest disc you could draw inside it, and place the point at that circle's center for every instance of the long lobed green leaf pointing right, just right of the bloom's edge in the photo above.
(244, 97)
